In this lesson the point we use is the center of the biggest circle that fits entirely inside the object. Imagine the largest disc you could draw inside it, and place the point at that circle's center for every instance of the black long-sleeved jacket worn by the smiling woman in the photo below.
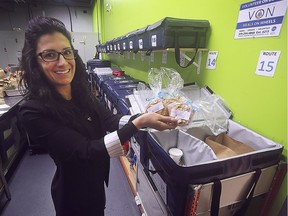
(79, 153)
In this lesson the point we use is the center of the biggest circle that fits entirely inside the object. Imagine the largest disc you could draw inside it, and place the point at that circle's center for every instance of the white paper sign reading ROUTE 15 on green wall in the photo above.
(267, 63)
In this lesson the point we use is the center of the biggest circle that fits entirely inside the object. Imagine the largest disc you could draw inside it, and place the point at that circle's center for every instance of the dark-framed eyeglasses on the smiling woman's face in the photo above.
(52, 55)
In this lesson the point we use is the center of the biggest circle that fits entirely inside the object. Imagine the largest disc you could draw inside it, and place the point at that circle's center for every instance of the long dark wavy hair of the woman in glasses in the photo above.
(33, 81)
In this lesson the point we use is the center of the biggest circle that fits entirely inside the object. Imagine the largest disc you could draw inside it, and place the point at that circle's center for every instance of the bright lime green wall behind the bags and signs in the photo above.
(257, 102)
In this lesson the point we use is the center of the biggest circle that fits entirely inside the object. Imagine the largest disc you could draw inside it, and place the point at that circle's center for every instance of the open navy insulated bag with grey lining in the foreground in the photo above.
(201, 166)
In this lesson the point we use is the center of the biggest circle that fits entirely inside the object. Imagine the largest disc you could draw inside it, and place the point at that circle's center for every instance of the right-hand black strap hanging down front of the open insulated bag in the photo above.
(250, 193)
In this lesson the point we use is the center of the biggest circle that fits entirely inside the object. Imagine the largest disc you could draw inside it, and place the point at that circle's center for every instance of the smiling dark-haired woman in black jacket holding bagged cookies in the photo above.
(63, 116)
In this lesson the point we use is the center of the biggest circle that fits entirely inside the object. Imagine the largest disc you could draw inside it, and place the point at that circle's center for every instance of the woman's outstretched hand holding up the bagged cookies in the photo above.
(156, 121)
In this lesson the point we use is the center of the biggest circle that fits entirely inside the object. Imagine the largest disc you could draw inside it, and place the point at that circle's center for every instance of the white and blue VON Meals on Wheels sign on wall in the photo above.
(262, 18)
